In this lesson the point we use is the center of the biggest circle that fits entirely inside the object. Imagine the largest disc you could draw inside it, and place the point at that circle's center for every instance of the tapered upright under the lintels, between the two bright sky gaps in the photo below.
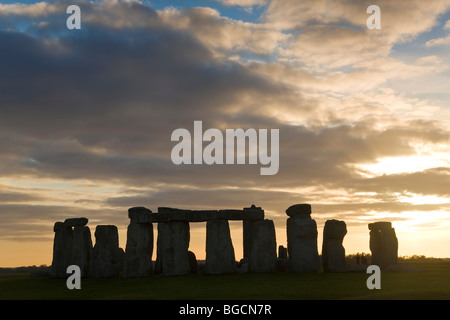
(219, 248)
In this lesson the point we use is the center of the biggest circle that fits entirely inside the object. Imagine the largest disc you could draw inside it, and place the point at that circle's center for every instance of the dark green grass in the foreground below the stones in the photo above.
(432, 284)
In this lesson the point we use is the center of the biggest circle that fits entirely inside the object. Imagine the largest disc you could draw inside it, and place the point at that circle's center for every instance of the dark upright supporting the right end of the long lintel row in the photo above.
(263, 254)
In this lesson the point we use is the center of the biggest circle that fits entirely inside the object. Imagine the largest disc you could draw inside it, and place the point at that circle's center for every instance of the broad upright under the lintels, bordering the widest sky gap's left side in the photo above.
(172, 248)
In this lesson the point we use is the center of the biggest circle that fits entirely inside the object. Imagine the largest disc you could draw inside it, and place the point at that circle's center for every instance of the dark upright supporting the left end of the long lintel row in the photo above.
(139, 250)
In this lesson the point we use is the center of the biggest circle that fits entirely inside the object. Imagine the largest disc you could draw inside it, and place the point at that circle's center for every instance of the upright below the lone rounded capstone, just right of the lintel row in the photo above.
(302, 245)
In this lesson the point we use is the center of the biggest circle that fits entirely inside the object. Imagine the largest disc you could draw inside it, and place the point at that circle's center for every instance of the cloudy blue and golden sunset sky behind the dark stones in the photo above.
(86, 116)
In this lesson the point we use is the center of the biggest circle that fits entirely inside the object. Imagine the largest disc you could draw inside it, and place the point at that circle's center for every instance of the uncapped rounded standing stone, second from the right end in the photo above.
(333, 252)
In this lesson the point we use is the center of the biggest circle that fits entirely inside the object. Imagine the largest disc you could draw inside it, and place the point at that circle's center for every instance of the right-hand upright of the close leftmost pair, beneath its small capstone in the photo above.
(82, 249)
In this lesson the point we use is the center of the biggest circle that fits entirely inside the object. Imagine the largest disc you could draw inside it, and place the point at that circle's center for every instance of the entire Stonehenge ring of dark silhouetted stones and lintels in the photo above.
(73, 245)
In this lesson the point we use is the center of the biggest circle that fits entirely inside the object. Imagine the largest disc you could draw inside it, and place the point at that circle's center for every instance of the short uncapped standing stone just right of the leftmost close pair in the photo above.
(107, 257)
